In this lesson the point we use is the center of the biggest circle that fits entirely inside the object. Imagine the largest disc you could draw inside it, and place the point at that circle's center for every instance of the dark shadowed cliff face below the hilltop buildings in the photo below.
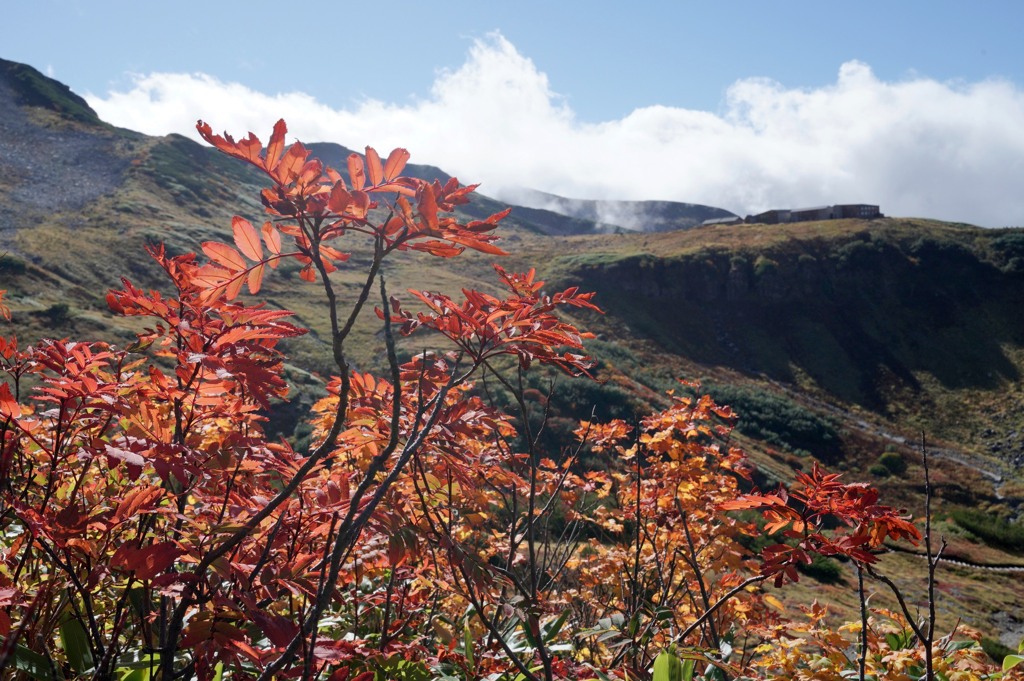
(861, 313)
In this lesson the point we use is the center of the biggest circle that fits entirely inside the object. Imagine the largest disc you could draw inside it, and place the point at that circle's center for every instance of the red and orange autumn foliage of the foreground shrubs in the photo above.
(151, 530)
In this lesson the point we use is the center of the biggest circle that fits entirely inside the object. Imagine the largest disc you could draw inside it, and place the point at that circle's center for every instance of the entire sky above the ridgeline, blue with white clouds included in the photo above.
(916, 106)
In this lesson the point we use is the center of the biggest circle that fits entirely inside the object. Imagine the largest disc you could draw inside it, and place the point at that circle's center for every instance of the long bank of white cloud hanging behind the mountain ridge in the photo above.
(922, 148)
